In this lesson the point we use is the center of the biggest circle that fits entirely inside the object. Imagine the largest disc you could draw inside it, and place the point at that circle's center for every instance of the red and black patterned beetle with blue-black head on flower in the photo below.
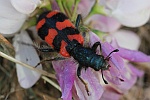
(58, 31)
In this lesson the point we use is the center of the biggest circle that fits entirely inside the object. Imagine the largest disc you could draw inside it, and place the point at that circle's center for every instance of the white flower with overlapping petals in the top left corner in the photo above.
(14, 13)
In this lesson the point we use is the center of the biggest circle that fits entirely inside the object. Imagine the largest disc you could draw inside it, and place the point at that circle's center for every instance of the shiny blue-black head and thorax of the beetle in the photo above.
(86, 56)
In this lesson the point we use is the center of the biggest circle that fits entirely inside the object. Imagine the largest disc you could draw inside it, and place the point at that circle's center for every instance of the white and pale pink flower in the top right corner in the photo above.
(118, 12)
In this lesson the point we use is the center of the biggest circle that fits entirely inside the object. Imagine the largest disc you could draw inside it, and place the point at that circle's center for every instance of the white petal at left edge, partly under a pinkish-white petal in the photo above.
(10, 19)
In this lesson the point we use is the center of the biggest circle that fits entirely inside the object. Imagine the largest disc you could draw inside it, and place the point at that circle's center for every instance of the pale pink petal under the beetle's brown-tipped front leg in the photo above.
(94, 86)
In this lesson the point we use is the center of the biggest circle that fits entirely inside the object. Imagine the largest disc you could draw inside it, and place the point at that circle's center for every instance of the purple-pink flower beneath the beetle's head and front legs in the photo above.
(120, 75)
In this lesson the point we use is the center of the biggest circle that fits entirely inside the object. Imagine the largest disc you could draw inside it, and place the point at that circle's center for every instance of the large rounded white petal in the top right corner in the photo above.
(128, 14)
